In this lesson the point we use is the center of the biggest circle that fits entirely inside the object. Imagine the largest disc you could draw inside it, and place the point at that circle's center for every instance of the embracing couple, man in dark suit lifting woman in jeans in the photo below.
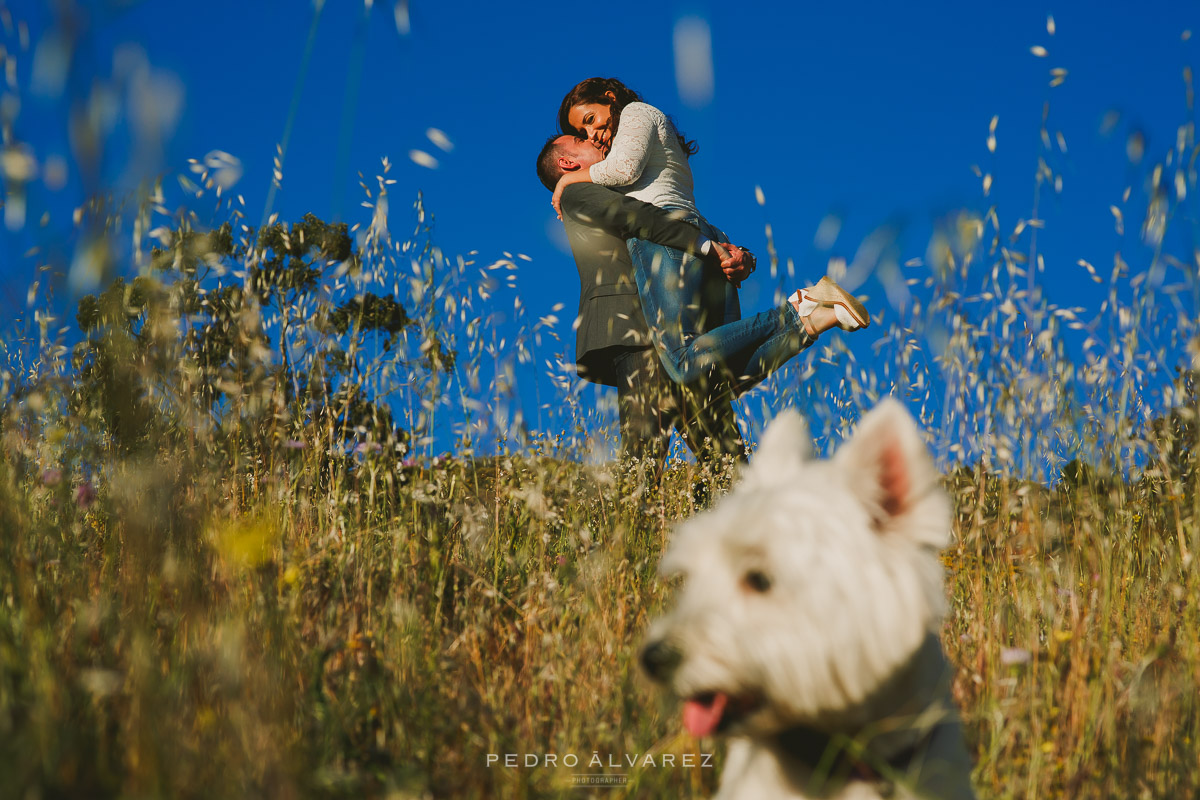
(659, 314)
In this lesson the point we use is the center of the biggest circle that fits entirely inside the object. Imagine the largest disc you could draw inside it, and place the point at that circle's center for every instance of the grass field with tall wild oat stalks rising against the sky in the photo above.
(278, 518)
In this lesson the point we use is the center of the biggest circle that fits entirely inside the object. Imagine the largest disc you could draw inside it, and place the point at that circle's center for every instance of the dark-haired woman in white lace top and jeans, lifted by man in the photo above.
(647, 159)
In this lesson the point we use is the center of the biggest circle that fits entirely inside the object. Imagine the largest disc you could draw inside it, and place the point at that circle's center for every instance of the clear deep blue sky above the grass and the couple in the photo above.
(872, 111)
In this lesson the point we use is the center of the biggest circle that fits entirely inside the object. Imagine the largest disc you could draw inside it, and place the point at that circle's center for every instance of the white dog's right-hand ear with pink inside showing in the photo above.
(887, 464)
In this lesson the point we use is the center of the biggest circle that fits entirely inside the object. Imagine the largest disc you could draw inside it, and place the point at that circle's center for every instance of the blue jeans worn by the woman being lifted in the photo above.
(685, 316)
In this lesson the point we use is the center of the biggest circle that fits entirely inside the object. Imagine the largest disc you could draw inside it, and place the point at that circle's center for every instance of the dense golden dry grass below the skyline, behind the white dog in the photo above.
(189, 637)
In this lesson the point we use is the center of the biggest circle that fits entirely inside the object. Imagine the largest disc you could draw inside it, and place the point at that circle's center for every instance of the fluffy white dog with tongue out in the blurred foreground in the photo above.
(807, 627)
